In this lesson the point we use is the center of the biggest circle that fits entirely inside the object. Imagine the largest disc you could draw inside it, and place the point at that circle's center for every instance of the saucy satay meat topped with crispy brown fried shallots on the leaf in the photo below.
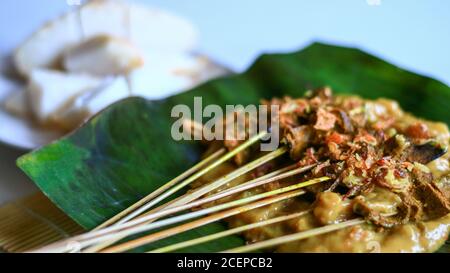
(385, 165)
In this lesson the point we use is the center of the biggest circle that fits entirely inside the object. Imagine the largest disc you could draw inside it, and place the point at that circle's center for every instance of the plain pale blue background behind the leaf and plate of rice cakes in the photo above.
(414, 34)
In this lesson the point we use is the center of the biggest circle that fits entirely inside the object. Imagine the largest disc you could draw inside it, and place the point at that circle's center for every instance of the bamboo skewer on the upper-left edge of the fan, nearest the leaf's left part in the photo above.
(163, 188)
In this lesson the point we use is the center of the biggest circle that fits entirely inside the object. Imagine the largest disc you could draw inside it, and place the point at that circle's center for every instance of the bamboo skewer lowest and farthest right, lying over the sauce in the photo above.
(295, 236)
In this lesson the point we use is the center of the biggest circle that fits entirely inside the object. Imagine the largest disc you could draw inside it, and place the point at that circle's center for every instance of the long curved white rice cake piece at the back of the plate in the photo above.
(147, 28)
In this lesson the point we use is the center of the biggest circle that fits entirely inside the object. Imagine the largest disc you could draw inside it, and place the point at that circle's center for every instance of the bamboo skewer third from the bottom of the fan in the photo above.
(200, 222)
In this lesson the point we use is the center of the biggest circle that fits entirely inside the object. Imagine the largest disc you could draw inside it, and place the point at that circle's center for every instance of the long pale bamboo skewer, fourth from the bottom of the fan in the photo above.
(85, 240)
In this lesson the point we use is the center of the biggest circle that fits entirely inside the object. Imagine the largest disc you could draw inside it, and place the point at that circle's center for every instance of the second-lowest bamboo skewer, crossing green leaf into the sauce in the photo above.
(229, 232)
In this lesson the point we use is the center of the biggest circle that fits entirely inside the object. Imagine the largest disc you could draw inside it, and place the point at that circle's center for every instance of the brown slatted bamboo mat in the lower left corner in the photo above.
(32, 222)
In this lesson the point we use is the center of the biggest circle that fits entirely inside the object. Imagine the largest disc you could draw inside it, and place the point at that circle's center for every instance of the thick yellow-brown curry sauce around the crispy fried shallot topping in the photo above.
(330, 207)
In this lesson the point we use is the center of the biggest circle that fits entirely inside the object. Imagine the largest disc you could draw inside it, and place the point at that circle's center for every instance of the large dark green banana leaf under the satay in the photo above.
(127, 151)
